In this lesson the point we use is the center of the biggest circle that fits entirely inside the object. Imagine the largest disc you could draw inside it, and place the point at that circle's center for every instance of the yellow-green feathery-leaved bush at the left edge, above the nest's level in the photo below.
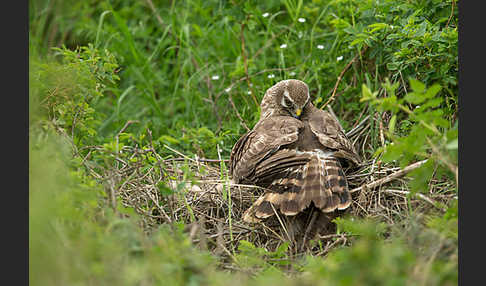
(67, 91)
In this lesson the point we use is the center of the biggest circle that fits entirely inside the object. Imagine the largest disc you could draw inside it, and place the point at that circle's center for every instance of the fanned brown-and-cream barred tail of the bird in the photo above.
(320, 180)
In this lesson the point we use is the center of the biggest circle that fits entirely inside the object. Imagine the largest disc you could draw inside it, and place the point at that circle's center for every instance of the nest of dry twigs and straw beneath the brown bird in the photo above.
(211, 206)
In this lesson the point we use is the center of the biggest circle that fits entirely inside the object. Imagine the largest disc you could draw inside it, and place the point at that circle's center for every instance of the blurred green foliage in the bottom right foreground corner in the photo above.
(374, 261)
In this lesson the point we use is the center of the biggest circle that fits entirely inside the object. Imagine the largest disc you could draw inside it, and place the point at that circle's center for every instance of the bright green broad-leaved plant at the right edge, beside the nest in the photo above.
(430, 137)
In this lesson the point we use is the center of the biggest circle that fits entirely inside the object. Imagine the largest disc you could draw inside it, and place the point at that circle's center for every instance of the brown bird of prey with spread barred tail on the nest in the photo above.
(297, 152)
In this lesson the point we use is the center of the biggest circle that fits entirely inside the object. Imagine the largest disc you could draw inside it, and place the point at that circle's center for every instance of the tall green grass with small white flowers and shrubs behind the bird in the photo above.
(177, 58)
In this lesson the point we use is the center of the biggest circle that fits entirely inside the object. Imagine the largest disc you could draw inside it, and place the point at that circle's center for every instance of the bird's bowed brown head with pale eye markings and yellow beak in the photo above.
(293, 96)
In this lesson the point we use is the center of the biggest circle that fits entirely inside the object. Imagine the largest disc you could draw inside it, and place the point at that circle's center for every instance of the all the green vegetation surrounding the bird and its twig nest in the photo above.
(192, 72)
